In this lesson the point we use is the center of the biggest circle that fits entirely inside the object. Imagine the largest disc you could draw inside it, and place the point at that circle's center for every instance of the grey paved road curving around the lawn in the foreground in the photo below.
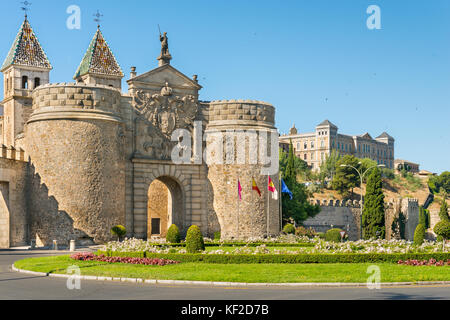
(19, 286)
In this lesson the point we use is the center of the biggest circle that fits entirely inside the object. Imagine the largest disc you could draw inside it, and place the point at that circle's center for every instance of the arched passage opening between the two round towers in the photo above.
(165, 206)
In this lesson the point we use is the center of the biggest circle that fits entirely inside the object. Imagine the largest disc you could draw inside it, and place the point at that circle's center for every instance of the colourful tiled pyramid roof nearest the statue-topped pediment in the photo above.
(99, 59)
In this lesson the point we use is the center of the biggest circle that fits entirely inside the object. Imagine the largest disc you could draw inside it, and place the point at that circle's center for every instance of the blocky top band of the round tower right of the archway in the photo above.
(224, 111)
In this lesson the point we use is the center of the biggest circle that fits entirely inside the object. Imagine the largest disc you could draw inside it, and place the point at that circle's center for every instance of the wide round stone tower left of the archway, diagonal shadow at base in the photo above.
(75, 140)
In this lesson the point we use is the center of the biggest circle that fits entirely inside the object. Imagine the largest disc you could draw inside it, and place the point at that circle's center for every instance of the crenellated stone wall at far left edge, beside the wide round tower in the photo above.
(13, 208)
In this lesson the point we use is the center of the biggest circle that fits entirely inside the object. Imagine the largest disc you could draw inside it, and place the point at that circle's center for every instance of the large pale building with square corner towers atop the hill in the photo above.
(314, 147)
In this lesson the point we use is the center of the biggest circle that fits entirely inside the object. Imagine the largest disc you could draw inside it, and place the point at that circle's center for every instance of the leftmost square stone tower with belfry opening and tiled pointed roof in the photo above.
(25, 68)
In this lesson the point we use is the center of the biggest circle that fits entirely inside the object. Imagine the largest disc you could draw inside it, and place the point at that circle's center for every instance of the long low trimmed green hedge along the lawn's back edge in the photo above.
(286, 258)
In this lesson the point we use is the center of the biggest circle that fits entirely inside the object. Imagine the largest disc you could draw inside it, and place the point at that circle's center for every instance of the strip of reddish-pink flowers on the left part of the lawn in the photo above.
(88, 256)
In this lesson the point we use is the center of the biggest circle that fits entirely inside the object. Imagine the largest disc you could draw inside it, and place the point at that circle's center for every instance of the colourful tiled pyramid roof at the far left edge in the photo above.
(26, 50)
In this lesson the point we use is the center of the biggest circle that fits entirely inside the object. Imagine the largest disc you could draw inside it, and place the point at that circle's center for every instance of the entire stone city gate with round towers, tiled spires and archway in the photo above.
(100, 157)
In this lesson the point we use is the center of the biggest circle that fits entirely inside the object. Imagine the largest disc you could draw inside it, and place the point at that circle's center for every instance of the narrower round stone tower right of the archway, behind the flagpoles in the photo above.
(242, 148)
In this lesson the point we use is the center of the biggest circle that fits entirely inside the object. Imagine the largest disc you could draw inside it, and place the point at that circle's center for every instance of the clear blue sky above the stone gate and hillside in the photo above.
(313, 60)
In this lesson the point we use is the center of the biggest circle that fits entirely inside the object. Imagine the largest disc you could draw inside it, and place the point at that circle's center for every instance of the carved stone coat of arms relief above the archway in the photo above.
(160, 115)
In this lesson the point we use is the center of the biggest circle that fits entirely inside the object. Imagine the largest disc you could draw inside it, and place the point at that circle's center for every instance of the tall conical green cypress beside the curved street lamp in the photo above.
(373, 218)
